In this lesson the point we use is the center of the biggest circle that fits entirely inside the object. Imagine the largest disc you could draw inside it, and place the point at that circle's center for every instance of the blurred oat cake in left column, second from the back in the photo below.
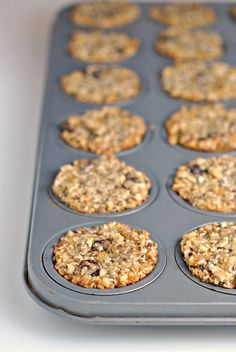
(100, 47)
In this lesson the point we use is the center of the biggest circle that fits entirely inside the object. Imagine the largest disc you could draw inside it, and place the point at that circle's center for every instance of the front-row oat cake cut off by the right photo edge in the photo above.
(210, 253)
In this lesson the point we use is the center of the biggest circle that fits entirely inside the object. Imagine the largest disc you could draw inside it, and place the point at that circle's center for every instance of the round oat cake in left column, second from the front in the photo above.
(101, 185)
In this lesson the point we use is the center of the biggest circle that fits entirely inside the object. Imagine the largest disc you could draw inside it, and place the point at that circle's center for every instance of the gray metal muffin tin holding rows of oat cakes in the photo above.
(169, 295)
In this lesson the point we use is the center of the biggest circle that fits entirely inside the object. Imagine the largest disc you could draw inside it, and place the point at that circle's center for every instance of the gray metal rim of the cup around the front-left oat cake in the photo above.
(51, 271)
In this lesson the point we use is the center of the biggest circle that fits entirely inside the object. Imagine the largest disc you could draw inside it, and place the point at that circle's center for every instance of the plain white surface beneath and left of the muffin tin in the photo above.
(24, 326)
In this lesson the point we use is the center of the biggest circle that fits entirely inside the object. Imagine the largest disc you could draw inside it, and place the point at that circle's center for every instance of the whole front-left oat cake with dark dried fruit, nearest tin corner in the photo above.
(106, 256)
